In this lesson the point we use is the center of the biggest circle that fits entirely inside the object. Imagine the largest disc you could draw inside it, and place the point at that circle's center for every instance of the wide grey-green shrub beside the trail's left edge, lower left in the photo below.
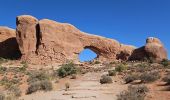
(44, 85)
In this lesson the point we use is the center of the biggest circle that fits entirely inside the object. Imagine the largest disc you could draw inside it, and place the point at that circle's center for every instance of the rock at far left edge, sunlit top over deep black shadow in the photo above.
(8, 45)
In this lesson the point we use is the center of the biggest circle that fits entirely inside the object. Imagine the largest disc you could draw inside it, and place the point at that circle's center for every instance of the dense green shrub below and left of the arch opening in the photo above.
(67, 69)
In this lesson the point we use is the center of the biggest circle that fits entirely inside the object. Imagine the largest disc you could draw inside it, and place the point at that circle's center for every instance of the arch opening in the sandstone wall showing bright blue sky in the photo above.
(87, 55)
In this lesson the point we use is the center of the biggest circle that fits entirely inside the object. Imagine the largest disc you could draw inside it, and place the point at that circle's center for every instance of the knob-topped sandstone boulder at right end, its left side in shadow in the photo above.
(153, 50)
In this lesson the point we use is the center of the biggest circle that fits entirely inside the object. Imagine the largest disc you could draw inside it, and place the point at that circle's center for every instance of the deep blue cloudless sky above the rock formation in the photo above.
(128, 21)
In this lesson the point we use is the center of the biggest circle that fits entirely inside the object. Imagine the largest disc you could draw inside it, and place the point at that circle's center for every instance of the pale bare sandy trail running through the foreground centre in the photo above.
(86, 87)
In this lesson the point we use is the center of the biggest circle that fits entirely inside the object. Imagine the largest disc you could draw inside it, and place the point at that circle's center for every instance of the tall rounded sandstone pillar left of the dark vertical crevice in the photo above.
(26, 34)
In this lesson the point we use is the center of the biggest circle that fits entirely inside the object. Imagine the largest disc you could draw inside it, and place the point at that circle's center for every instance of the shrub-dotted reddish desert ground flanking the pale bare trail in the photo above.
(138, 76)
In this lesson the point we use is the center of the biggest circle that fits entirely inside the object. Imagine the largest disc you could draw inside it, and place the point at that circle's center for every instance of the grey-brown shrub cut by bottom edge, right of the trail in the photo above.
(133, 93)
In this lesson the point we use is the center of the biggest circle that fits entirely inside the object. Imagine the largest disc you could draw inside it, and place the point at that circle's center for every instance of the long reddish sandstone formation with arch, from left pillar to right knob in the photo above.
(47, 41)
